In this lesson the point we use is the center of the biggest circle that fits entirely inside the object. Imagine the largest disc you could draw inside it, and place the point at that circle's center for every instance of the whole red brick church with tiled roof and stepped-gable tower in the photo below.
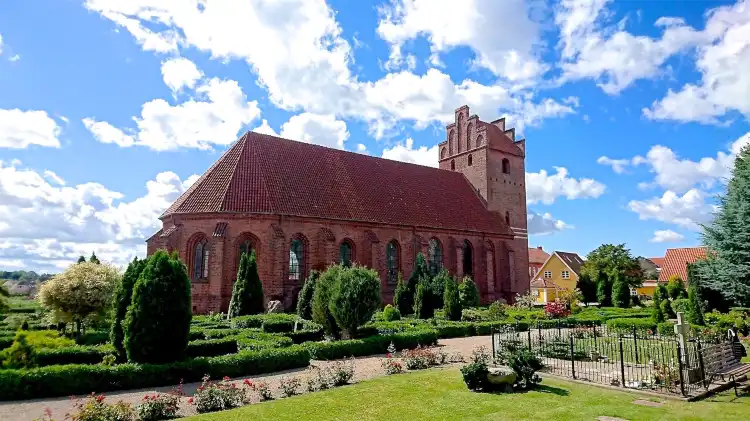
(302, 207)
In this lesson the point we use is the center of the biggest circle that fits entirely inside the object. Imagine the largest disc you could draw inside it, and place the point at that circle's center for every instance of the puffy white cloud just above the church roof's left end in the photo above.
(214, 117)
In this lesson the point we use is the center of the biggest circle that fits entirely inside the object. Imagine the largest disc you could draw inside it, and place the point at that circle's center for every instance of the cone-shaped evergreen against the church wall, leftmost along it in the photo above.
(247, 293)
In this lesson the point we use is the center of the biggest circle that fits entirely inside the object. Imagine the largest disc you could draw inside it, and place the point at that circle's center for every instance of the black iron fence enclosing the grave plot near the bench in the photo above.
(632, 359)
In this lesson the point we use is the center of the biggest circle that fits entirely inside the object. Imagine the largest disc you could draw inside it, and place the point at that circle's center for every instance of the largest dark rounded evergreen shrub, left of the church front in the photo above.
(157, 324)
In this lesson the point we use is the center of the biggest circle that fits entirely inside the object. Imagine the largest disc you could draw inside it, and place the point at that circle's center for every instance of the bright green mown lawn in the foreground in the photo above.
(441, 394)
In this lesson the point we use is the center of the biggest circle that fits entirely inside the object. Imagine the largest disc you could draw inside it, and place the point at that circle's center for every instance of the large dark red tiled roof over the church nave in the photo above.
(267, 174)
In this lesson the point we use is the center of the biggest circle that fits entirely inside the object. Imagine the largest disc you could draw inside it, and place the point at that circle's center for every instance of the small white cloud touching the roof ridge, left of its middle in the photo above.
(315, 128)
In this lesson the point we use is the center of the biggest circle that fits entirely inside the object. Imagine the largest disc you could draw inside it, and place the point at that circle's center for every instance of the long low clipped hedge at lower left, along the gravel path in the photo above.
(65, 380)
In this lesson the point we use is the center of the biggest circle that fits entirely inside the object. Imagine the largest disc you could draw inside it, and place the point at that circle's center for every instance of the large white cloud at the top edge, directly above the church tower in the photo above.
(507, 50)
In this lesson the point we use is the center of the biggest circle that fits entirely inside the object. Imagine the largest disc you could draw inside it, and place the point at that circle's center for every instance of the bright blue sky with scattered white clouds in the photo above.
(633, 111)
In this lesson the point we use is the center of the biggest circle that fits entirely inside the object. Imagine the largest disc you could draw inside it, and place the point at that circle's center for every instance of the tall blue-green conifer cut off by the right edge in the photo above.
(728, 268)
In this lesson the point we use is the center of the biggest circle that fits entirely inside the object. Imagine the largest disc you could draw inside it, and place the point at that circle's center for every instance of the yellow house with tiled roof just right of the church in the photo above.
(560, 271)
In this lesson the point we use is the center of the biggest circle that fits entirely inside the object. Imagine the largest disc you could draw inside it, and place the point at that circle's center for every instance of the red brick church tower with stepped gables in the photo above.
(492, 160)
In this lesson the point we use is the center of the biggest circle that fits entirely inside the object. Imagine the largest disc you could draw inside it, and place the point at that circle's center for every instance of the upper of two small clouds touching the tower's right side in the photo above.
(544, 188)
